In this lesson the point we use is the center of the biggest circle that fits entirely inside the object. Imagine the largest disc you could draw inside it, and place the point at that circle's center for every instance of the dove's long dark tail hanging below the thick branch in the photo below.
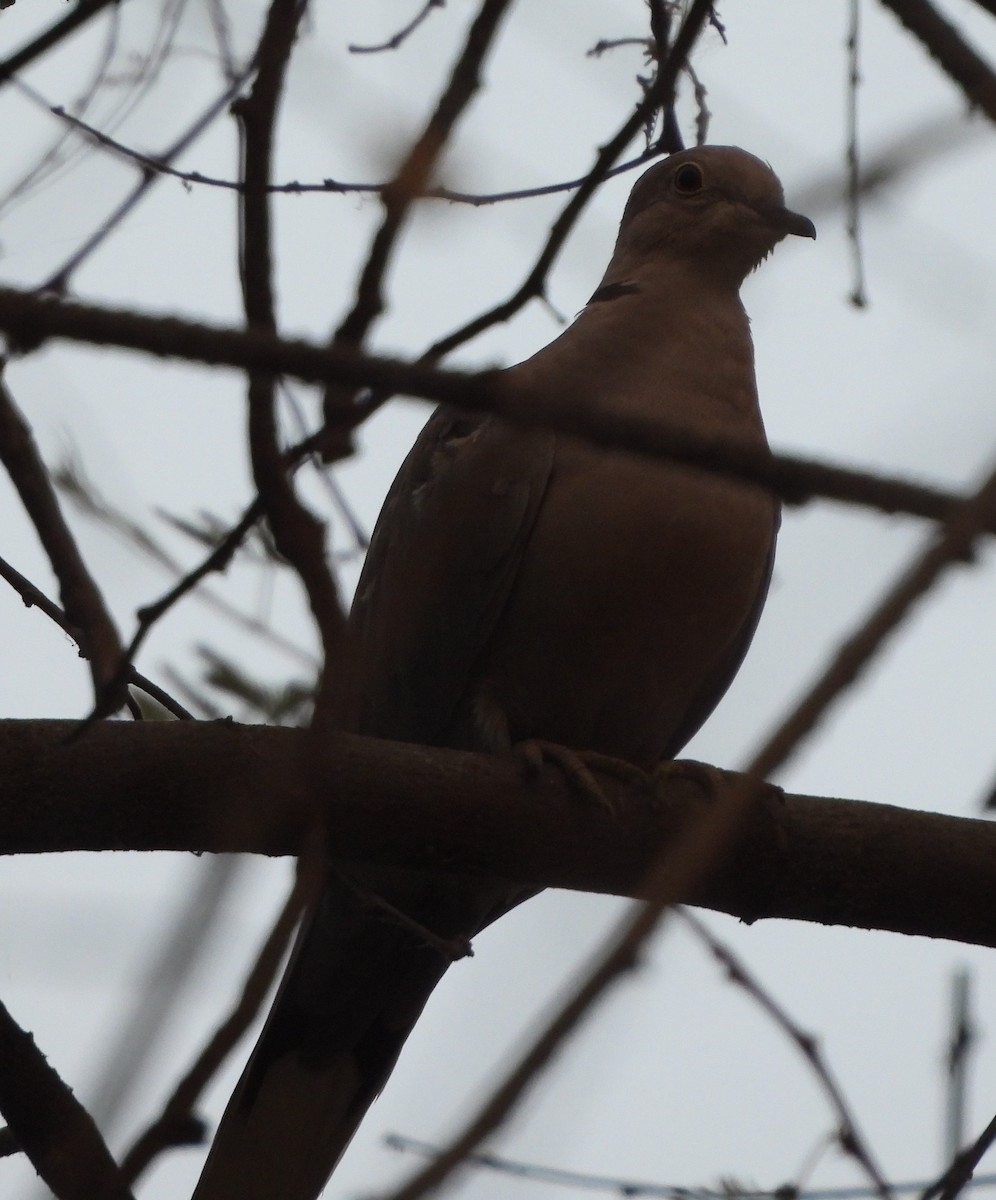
(364, 967)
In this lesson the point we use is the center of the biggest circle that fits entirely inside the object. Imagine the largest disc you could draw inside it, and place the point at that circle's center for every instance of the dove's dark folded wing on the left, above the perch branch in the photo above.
(442, 562)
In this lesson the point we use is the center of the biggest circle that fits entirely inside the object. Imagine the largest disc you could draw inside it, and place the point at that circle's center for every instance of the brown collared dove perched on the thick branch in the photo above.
(524, 586)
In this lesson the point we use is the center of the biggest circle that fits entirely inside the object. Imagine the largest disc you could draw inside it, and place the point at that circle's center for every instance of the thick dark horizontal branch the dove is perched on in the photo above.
(227, 788)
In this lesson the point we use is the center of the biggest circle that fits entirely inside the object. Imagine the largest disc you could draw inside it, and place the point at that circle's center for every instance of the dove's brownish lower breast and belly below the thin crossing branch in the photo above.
(635, 599)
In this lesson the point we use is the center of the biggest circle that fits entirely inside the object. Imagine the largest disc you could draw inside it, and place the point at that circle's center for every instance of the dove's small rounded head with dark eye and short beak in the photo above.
(719, 207)
